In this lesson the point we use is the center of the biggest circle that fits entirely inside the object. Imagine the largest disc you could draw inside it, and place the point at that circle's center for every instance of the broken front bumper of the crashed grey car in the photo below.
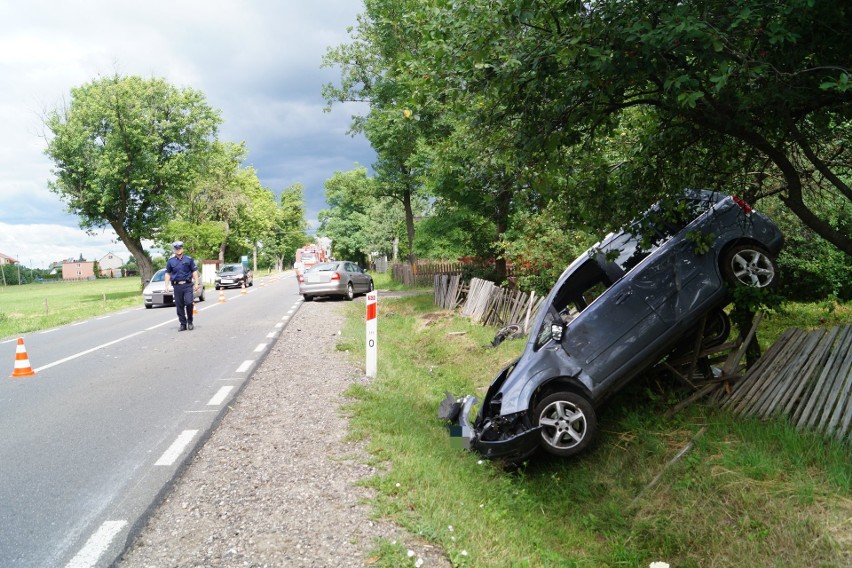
(462, 434)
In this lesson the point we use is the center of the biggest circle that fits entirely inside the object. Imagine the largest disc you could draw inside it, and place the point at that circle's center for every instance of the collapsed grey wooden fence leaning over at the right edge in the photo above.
(806, 376)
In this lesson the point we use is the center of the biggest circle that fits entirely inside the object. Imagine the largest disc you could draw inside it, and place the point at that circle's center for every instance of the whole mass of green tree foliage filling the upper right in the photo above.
(606, 107)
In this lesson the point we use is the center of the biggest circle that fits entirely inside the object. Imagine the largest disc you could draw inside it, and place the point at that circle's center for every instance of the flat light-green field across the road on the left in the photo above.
(33, 307)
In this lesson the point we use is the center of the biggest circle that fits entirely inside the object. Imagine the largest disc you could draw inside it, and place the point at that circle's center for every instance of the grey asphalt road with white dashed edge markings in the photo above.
(116, 407)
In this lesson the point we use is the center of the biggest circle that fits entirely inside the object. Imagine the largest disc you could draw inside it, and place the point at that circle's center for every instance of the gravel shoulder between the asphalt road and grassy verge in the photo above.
(276, 483)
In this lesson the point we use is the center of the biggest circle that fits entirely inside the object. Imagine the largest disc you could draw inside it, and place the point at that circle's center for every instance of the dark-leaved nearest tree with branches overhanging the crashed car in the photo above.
(751, 93)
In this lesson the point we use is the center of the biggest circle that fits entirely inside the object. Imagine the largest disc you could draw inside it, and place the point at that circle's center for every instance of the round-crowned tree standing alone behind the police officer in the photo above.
(125, 150)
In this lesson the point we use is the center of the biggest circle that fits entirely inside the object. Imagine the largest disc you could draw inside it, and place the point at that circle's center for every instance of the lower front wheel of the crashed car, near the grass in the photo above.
(569, 421)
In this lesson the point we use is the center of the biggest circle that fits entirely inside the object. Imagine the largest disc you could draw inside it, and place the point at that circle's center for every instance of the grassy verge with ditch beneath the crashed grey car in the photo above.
(749, 493)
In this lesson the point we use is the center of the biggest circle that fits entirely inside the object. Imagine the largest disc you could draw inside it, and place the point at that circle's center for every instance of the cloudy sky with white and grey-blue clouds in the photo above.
(258, 62)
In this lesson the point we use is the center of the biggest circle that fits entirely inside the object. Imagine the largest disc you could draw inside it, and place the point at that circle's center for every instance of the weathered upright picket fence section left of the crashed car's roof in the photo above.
(486, 303)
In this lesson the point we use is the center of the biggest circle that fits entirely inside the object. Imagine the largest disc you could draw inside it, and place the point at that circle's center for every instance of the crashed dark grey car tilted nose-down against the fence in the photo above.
(614, 312)
